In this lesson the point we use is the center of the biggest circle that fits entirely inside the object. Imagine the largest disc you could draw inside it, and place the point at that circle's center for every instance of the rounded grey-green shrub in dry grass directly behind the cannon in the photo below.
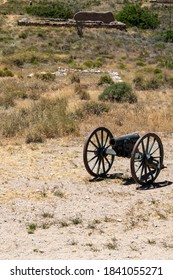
(119, 92)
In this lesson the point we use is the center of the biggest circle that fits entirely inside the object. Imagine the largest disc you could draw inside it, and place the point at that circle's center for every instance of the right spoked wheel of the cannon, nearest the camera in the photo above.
(147, 159)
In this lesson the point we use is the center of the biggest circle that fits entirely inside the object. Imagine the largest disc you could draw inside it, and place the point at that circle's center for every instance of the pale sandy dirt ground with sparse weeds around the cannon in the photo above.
(52, 209)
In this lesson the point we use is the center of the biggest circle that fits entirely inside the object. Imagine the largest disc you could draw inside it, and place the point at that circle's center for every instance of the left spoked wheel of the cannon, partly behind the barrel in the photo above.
(97, 162)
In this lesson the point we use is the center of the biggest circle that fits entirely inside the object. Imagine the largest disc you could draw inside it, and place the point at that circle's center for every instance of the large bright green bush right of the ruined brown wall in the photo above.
(135, 15)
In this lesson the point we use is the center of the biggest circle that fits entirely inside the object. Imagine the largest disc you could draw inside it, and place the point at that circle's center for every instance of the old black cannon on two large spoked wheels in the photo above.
(145, 152)
